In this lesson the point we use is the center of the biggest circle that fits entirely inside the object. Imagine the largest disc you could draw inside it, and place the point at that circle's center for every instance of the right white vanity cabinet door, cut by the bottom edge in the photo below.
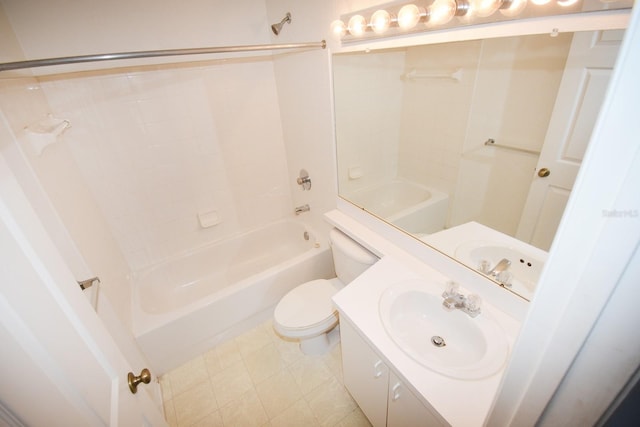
(405, 410)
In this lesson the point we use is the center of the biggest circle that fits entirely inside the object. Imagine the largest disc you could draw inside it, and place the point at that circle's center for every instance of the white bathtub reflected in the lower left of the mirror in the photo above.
(405, 204)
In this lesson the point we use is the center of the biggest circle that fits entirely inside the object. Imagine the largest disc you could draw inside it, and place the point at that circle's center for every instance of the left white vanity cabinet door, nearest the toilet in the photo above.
(365, 375)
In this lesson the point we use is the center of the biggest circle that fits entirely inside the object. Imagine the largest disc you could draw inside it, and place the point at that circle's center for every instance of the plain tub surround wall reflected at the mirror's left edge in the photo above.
(368, 133)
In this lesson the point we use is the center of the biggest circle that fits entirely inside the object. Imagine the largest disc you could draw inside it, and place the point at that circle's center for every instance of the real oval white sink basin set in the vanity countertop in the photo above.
(448, 342)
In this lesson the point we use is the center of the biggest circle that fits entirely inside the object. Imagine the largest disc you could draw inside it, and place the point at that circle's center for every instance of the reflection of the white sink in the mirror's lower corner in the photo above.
(525, 268)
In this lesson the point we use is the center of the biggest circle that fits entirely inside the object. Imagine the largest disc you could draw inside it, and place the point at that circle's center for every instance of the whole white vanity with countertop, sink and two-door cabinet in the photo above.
(401, 385)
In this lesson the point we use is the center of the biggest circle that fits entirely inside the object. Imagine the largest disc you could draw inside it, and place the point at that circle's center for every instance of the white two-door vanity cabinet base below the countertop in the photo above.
(378, 390)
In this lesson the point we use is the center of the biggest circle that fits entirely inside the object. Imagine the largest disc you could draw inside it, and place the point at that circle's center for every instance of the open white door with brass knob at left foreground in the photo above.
(58, 364)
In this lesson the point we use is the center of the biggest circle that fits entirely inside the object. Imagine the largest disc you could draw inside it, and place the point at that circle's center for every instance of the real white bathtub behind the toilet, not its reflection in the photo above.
(185, 306)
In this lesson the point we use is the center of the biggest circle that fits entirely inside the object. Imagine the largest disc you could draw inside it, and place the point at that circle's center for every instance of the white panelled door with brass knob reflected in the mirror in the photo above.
(582, 89)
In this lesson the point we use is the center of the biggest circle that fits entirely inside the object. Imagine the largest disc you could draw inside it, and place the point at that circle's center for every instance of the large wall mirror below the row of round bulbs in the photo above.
(472, 146)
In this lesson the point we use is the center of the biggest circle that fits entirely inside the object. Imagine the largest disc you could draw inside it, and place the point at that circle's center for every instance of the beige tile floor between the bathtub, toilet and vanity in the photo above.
(258, 379)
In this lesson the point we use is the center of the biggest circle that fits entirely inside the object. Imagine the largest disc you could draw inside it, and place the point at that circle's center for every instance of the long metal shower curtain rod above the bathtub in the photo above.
(154, 53)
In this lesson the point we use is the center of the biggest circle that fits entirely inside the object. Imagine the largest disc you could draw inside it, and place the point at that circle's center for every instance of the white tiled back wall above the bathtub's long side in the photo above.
(158, 147)
